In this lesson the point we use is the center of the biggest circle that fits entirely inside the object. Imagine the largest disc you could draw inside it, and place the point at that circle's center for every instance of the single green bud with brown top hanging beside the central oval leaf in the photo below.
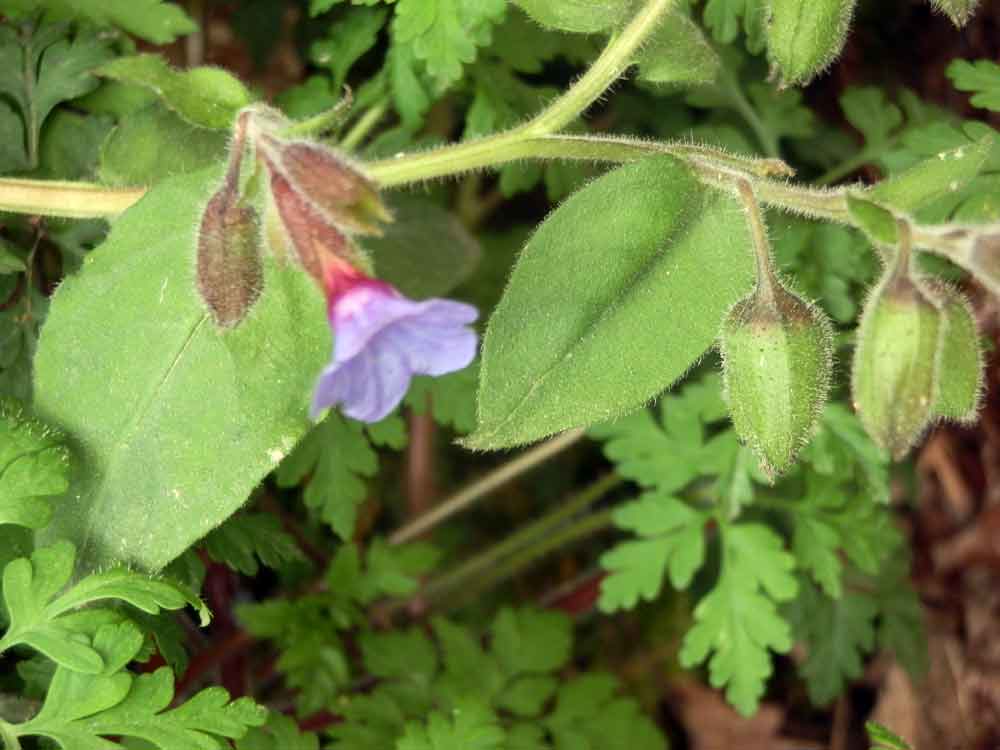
(777, 357)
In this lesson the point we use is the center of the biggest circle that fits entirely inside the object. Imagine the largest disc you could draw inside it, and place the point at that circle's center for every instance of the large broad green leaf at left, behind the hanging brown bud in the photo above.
(174, 419)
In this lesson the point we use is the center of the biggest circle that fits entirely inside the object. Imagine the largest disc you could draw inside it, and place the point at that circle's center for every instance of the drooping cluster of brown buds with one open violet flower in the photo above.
(317, 202)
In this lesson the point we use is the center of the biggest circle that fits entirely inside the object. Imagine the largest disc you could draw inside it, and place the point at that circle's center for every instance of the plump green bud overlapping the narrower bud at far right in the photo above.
(895, 360)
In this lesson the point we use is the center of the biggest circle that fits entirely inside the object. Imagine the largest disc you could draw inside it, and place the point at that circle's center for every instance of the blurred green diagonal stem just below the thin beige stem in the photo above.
(535, 532)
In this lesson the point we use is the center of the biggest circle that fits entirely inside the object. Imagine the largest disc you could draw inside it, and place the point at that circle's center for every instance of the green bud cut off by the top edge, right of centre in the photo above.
(805, 36)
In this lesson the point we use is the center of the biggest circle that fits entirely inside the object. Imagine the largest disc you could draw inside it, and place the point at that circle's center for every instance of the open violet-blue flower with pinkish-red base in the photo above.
(382, 339)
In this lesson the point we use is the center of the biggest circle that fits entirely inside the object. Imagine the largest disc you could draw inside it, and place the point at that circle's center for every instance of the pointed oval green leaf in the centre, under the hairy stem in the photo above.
(616, 295)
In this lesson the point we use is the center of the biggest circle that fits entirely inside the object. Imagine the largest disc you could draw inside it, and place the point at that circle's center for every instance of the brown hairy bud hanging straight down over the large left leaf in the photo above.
(229, 273)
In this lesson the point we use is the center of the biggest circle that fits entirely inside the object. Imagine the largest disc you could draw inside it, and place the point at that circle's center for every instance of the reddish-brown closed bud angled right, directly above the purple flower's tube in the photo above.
(335, 189)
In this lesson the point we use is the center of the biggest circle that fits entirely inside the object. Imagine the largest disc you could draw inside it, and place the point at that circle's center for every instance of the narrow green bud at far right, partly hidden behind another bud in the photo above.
(959, 359)
